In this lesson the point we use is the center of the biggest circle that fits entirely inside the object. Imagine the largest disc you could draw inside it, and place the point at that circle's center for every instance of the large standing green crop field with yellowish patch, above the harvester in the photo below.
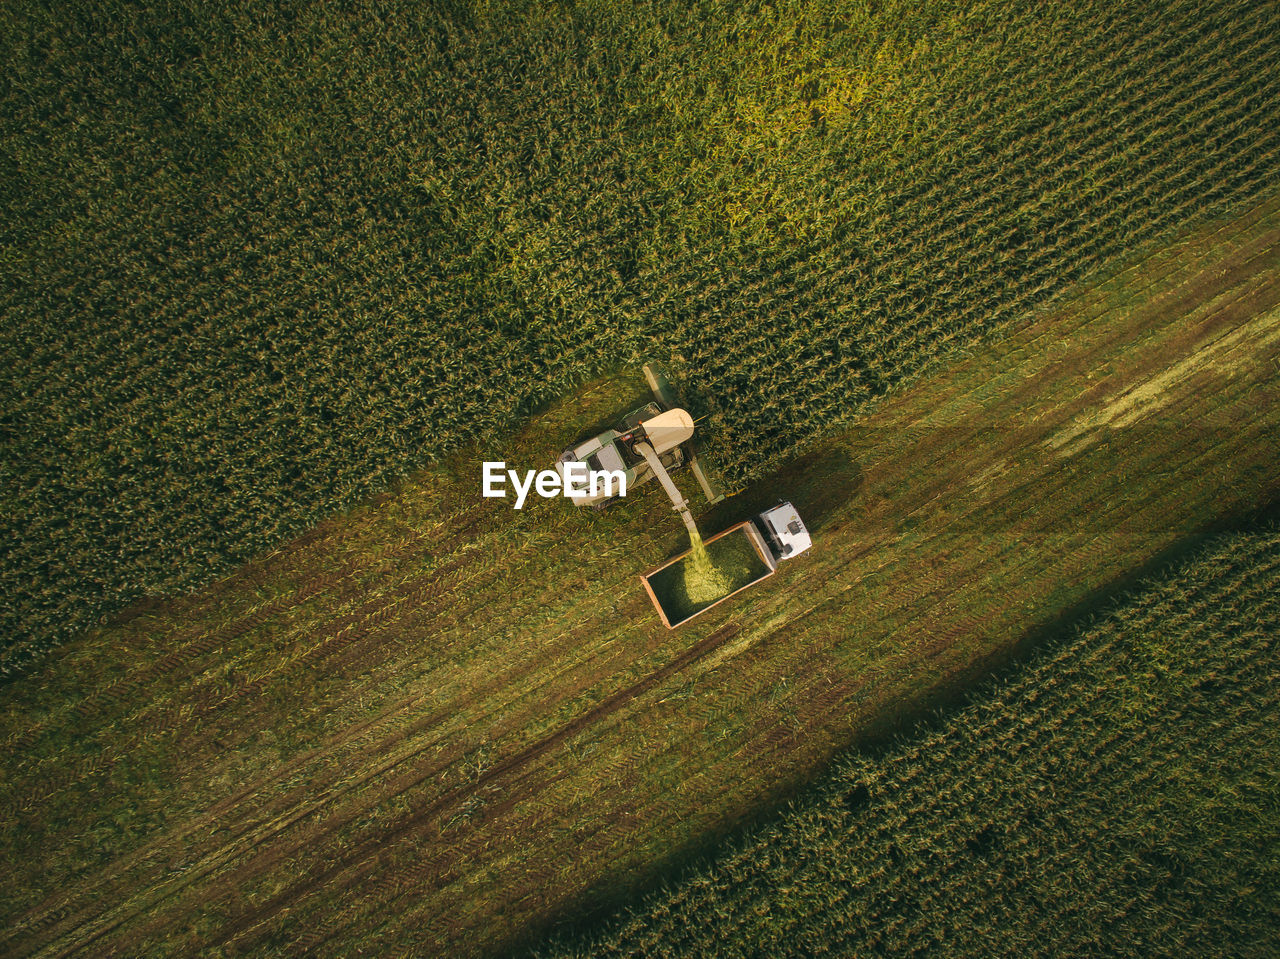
(263, 259)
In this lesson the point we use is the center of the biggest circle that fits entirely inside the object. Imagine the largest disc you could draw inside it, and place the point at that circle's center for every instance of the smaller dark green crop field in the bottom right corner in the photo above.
(1118, 797)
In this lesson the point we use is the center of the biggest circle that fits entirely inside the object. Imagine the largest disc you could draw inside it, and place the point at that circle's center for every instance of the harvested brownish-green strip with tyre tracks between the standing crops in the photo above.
(437, 724)
